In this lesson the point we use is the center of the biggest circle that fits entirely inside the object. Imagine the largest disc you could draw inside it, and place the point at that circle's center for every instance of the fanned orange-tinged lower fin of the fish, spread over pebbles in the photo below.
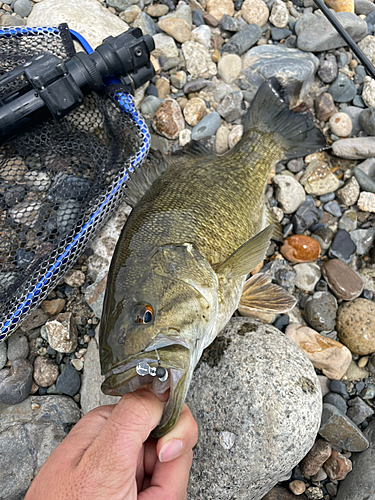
(260, 294)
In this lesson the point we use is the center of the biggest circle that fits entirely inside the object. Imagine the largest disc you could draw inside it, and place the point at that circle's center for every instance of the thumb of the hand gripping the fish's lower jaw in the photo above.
(117, 447)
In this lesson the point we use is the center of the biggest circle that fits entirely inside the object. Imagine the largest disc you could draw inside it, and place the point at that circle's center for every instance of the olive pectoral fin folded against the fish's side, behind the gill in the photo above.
(247, 256)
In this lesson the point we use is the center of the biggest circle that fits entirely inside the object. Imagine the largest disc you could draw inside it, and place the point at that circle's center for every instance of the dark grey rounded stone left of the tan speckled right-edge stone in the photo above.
(320, 311)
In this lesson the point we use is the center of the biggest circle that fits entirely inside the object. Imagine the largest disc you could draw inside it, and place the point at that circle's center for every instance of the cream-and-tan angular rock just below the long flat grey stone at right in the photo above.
(318, 179)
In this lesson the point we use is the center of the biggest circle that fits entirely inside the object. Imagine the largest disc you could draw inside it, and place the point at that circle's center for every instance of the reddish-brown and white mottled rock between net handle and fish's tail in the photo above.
(168, 120)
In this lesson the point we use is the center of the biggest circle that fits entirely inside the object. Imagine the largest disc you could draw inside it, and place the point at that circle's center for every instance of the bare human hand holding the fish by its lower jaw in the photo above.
(109, 455)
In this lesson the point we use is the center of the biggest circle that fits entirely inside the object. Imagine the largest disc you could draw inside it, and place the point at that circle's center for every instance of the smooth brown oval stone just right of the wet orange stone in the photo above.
(343, 281)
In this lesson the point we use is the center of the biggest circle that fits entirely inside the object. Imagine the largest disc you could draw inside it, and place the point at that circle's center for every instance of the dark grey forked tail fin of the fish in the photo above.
(294, 131)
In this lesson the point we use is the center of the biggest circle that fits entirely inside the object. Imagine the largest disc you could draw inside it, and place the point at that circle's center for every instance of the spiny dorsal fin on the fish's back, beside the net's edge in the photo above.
(140, 181)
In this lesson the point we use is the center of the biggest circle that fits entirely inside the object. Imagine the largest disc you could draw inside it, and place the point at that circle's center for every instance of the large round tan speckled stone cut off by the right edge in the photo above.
(356, 326)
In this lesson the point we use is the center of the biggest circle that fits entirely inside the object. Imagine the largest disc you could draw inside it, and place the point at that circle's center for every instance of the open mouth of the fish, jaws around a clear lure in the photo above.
(123, 378)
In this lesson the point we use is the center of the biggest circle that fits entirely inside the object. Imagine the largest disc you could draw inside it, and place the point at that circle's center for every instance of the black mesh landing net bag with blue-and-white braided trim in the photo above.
(59, 182)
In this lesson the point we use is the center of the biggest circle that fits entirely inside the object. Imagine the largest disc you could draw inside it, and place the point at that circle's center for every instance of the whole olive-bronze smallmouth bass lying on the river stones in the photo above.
(199, 225)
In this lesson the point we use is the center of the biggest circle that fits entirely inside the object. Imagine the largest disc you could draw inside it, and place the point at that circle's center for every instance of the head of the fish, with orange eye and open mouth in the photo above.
(161, 317)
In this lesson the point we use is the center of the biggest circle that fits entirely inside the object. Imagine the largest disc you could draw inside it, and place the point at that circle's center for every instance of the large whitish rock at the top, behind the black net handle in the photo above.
(88, 17)
